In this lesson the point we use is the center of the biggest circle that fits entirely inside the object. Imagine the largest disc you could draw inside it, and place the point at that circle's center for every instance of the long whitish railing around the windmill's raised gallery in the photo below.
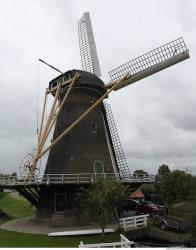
(79, 178)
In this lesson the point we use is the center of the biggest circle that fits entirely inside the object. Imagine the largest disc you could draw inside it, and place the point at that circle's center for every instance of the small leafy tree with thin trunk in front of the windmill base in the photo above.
(101, 201)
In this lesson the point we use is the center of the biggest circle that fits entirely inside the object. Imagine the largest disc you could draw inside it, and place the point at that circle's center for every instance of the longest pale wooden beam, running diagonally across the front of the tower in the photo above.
(80, 118)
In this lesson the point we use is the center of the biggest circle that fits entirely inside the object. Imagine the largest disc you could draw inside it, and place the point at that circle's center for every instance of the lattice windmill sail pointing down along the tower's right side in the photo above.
(119, 156)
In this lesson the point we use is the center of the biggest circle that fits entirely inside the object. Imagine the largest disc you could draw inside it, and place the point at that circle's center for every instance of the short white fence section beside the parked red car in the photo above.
(134, 222)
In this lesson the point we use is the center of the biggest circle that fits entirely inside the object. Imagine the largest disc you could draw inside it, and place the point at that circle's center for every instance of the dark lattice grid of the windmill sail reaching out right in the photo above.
(150, 59)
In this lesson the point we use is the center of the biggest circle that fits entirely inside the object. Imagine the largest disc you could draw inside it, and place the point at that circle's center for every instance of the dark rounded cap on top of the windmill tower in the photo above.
(86, 79)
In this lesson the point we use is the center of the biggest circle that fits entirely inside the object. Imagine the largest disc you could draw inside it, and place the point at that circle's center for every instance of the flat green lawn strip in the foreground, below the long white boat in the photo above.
(14, 239)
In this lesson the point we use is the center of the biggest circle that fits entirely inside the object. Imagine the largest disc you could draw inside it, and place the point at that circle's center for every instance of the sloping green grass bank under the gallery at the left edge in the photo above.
(15, 208)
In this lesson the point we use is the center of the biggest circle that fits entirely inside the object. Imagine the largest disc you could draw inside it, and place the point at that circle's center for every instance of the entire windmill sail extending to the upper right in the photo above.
(150, 63)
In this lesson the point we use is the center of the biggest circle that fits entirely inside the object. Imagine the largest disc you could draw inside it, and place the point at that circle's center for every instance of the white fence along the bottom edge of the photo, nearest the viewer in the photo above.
(125, 243)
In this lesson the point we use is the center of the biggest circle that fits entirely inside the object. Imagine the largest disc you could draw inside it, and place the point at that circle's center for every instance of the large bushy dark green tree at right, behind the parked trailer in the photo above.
(176, 186)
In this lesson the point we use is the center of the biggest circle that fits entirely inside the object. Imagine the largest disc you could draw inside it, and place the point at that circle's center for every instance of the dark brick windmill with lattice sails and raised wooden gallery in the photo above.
(85, 144)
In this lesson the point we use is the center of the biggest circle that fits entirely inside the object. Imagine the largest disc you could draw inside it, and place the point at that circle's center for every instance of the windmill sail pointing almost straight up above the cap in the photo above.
(87, 45)
